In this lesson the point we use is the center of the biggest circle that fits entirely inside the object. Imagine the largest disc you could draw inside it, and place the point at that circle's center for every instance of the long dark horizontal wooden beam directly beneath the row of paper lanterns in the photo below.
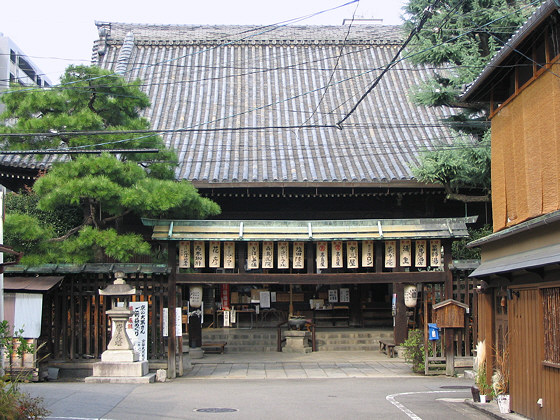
(323, 278)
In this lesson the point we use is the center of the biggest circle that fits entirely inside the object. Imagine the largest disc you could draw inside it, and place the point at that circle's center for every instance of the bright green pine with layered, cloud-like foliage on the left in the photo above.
(104, 188)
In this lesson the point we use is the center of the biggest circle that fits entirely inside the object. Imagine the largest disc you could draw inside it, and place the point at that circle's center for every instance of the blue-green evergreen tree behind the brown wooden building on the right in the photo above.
(458, 40)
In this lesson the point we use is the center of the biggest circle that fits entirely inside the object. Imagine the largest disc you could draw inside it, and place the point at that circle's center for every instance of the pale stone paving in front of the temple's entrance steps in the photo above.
(295, 366)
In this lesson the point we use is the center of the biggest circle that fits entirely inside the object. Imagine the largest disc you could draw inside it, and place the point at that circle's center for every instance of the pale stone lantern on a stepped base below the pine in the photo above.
(119, 363)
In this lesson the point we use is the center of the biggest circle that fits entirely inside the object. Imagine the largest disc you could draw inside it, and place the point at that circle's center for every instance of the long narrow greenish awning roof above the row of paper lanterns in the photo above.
(308, 230)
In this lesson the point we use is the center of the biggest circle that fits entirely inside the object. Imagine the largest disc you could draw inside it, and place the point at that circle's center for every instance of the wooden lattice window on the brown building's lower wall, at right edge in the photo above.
(551, 312)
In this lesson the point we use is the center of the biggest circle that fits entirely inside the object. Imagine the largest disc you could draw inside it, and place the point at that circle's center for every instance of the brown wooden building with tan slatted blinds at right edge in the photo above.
(519, 305)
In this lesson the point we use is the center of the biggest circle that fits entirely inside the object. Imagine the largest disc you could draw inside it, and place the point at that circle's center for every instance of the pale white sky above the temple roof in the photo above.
(57, 33)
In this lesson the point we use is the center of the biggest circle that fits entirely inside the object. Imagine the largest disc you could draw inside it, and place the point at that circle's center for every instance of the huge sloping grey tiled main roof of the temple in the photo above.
(241, 86)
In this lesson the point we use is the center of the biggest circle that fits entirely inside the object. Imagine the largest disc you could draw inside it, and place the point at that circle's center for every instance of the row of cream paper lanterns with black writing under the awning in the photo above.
(418, 253)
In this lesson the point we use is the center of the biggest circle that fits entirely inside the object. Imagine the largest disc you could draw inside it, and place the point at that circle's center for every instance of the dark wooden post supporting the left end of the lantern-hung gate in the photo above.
(172, 304)
